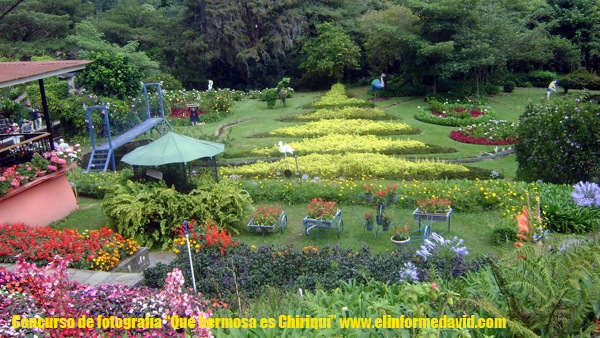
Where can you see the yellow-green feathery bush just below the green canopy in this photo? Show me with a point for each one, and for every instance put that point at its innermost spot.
(151, 213)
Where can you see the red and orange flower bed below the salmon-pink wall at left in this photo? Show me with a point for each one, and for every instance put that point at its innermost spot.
(97, 250)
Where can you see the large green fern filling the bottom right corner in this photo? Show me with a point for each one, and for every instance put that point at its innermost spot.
(541, 291)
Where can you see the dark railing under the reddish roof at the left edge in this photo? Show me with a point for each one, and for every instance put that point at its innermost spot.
(21, 152)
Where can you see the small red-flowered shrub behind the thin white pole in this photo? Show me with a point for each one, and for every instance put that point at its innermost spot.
(203, 236)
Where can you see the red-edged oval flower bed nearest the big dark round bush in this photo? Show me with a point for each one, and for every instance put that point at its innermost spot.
(489, 133)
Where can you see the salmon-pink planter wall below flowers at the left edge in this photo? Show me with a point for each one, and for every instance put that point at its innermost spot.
(39, 202)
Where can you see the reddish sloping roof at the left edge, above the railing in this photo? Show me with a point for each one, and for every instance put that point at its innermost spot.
(13, 73)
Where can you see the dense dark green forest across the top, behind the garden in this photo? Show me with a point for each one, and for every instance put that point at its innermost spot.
(251, 44)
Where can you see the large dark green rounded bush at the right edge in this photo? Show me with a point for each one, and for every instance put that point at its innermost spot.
(559, 142)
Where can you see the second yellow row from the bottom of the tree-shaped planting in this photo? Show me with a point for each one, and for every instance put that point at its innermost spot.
(336, 143)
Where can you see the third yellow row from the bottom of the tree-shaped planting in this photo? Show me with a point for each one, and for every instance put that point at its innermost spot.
(339, 126)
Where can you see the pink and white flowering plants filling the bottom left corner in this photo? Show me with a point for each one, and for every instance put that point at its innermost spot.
(46, 293)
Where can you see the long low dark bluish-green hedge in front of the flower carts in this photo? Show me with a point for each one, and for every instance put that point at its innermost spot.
(289, 268)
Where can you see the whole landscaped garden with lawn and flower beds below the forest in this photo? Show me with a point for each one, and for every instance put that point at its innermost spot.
(375, 213)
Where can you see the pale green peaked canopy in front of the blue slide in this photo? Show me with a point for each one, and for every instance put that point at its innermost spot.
(173, 148)
